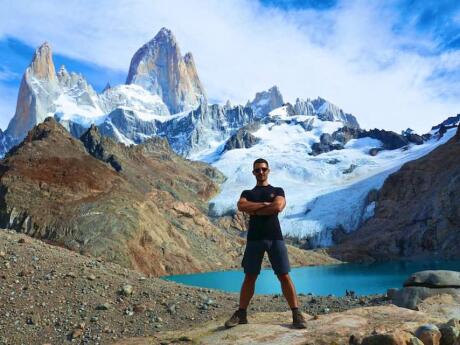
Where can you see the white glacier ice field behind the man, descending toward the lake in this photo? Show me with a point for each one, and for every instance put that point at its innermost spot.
(321, 194)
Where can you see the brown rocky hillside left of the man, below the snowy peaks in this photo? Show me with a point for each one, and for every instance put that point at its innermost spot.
(143, 206)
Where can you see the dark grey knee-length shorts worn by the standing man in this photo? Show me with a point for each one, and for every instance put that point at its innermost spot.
(277, 254)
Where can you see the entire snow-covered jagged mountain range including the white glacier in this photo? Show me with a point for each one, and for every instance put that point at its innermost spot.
(318, 153)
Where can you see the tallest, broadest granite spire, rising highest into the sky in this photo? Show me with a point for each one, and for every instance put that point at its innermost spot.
(159, 67)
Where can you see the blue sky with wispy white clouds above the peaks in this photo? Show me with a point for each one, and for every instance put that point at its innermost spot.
(393, 64)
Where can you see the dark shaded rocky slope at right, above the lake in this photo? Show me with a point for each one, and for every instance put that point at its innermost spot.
(417, 212)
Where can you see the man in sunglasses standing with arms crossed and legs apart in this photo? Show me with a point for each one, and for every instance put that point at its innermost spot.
(263, 203)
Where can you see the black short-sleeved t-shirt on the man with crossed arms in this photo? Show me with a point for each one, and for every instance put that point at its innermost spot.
(263, 227)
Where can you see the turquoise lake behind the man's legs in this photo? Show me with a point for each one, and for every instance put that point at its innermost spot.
(364, 279)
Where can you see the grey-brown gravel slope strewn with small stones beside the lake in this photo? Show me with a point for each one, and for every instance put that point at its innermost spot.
(50, 295)
